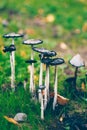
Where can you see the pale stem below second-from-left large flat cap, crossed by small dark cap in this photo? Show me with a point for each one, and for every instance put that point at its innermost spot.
(32, 86)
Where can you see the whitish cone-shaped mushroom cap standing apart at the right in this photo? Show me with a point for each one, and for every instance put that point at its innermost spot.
(77, 61)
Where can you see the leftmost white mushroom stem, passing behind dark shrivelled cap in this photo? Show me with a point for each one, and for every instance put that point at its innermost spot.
(12, 62)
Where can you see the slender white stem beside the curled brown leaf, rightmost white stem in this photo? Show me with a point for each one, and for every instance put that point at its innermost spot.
(55, 89)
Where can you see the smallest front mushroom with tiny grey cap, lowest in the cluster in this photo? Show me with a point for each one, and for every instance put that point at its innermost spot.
(40, 91)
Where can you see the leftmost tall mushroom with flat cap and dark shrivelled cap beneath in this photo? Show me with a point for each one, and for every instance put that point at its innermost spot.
(12, 56)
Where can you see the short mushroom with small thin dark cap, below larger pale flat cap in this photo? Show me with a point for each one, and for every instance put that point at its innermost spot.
(32, 87)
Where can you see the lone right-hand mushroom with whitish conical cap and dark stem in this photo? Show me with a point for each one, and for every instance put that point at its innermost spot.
(77, 62)
